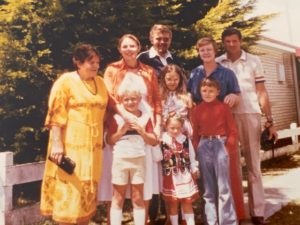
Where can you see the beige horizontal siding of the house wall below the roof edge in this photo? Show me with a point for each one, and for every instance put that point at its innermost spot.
(281, 93)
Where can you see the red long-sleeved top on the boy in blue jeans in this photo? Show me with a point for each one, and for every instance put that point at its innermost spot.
(214, 118)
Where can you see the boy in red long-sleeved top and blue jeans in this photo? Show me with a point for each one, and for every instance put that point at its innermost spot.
(214, 133)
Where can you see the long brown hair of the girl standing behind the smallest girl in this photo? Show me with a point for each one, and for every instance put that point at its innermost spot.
(181, 89)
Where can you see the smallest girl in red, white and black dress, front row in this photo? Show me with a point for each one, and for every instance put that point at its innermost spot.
(180, 169)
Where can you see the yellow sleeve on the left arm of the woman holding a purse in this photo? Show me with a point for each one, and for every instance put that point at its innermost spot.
(57, 105)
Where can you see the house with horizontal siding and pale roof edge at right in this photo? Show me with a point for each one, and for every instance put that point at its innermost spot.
(282, 72)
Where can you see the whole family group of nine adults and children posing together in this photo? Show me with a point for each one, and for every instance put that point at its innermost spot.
(144, 130)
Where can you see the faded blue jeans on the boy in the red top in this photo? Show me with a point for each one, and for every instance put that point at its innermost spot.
(214, 167)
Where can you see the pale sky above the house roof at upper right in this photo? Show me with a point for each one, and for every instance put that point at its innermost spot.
(285, 26)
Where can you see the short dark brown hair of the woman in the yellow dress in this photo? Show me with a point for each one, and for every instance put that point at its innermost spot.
(83, 52)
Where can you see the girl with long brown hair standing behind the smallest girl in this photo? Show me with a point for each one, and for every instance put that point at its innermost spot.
(174, 96)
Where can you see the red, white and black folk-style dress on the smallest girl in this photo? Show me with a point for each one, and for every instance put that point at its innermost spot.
(178, 164)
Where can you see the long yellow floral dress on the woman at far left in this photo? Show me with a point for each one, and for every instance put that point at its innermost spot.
(80, 113)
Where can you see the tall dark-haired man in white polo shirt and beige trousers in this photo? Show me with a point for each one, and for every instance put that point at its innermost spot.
(254, 98)
